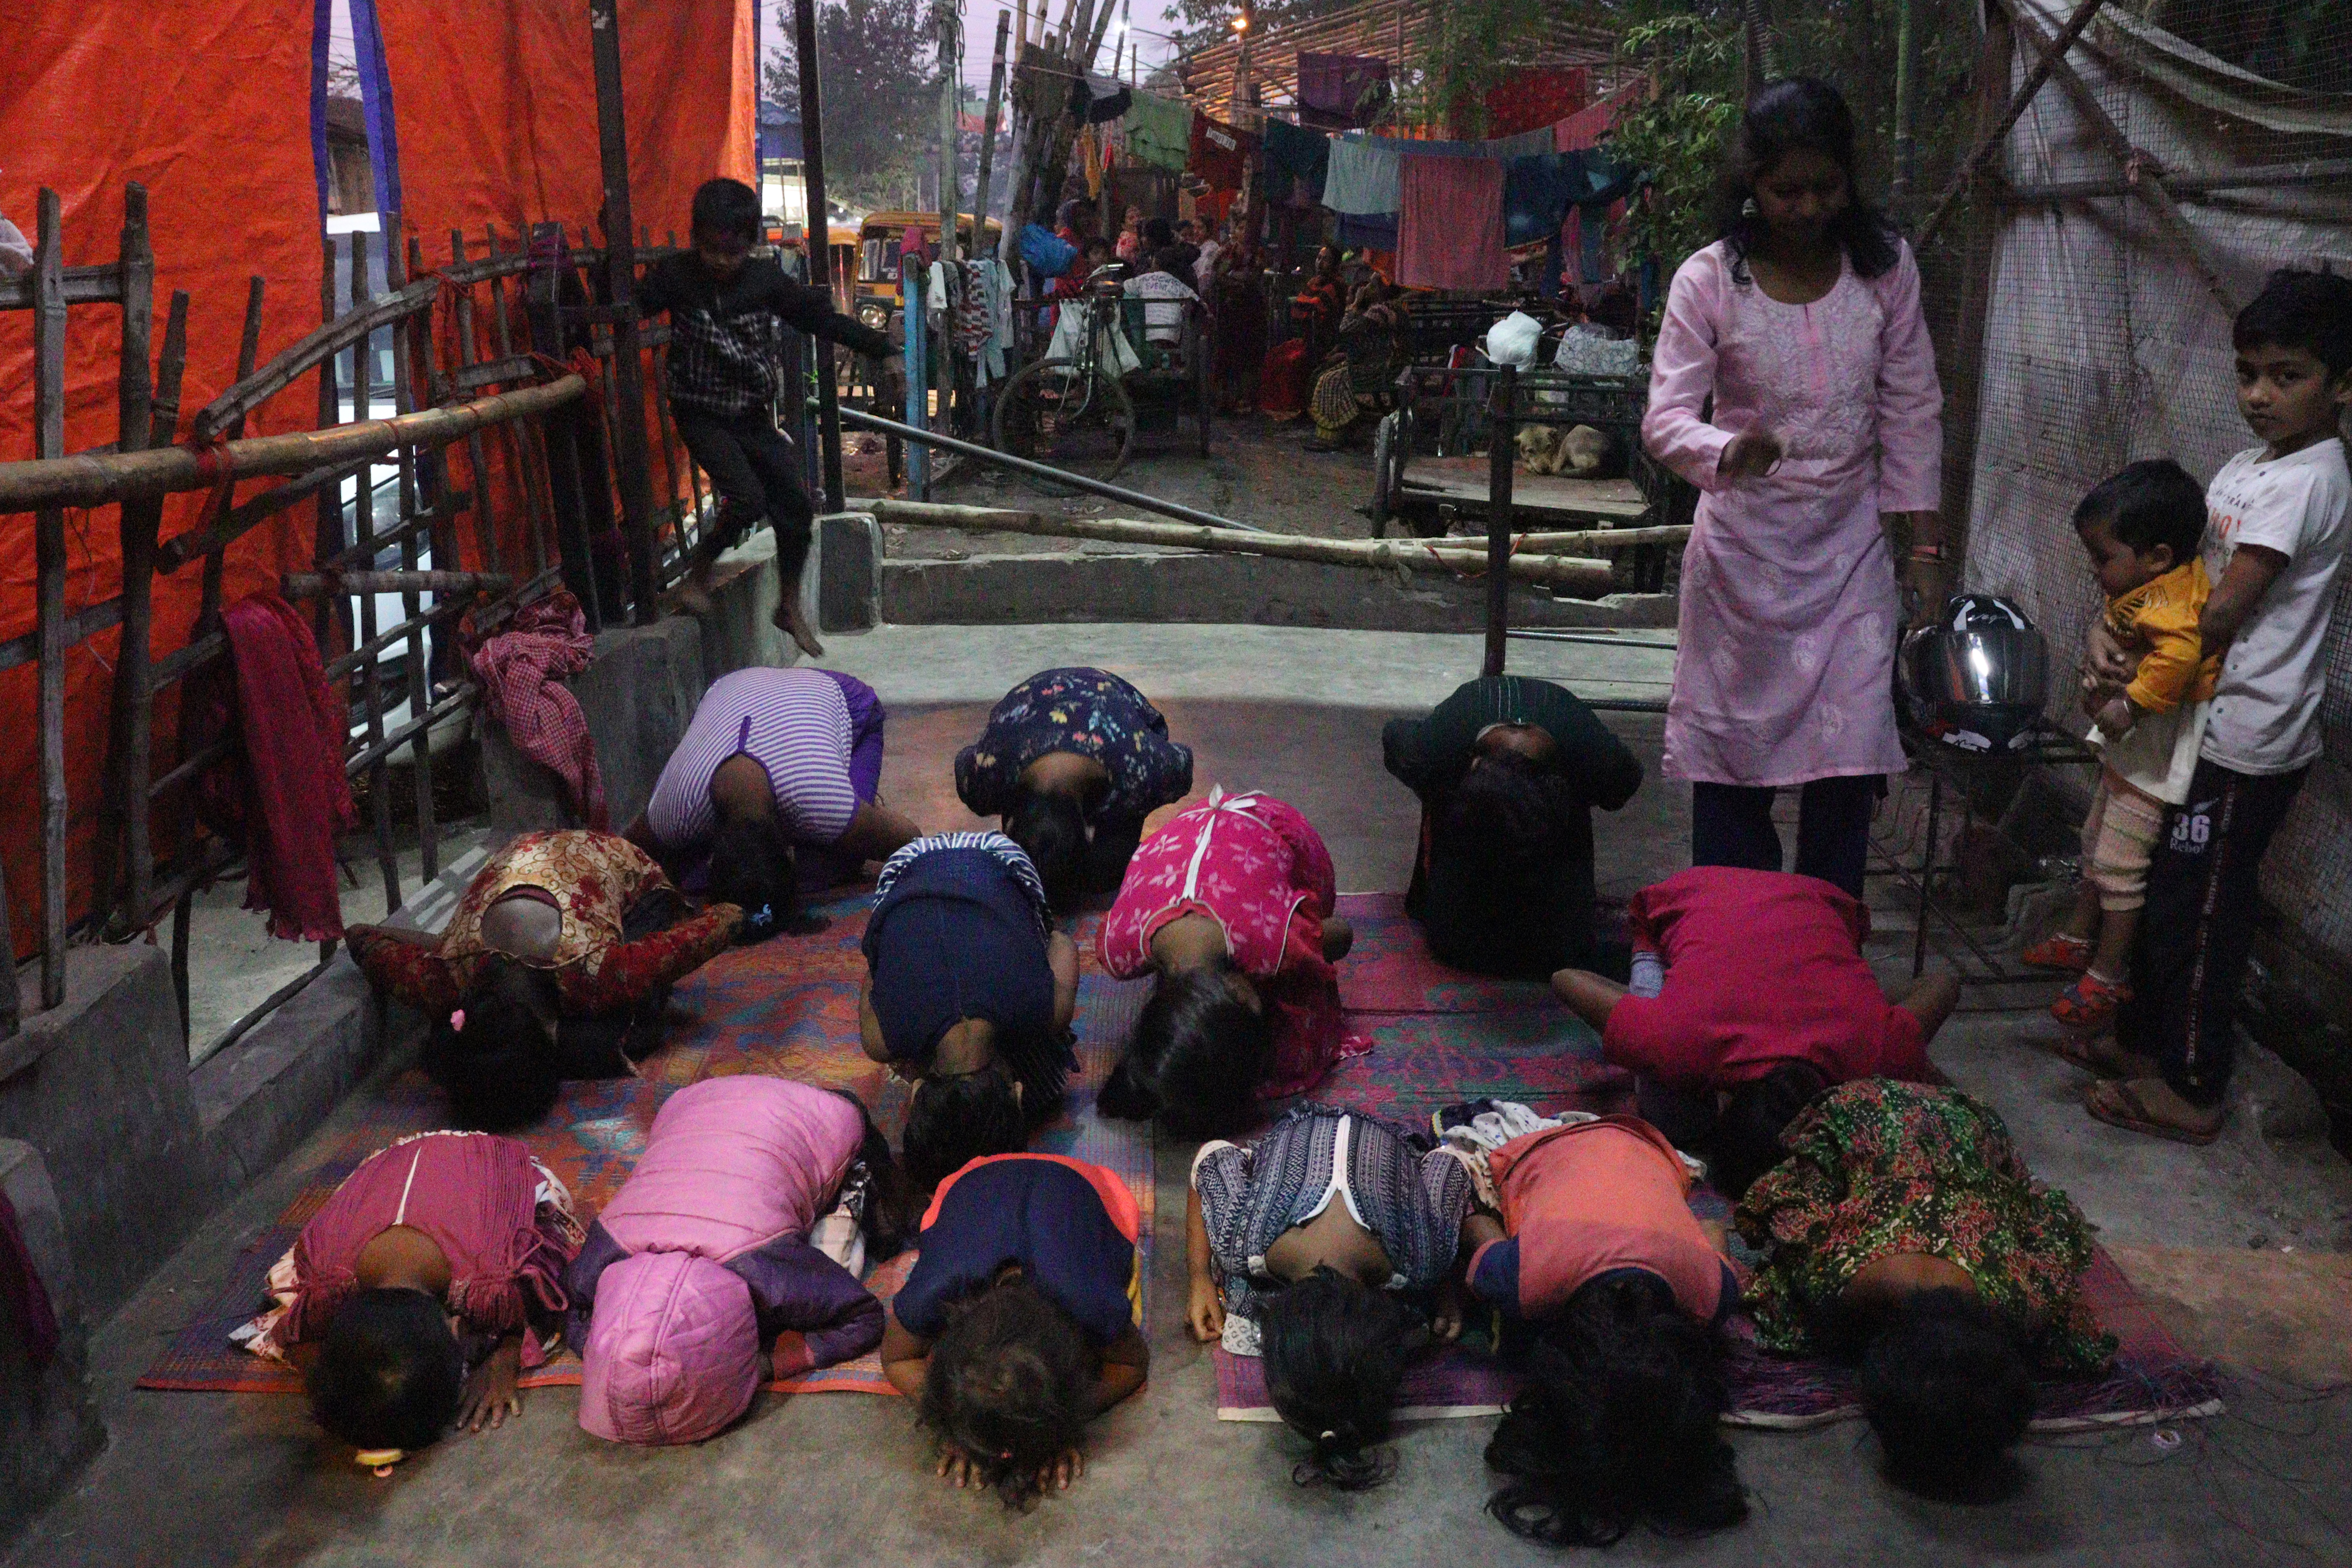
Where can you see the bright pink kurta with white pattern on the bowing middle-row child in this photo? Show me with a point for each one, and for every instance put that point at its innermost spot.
(1262, 873)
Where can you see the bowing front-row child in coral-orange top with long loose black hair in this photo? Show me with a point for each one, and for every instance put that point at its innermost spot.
(1619, 1289)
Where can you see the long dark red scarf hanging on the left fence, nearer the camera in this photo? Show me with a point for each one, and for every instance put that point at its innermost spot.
(288, 796)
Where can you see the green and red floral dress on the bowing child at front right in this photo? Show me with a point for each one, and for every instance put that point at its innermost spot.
(1880, 1167)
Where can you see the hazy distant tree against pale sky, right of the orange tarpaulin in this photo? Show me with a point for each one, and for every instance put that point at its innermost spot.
(878, 65)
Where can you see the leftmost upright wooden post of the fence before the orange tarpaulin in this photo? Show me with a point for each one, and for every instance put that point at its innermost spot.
(51, 594)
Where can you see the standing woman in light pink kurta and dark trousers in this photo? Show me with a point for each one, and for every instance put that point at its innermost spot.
(1803, 326)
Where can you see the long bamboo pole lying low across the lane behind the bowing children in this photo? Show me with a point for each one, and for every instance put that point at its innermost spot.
(1382, 554)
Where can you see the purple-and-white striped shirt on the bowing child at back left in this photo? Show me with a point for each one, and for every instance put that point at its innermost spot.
(794, 723)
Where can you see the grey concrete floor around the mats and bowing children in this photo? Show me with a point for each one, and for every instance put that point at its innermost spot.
(846, 1480)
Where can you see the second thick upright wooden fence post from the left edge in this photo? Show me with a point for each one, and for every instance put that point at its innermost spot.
(135, 394)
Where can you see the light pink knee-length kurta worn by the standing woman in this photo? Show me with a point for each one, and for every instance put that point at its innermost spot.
(1789, 594)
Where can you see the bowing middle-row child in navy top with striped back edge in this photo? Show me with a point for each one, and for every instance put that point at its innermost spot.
(970, 993)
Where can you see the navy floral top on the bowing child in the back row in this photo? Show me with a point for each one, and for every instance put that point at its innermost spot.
(1090, 713)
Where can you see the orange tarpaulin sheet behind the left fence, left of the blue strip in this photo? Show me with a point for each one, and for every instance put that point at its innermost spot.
(206, 102)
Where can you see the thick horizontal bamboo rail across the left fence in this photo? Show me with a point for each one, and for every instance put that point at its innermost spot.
(102, 478)
